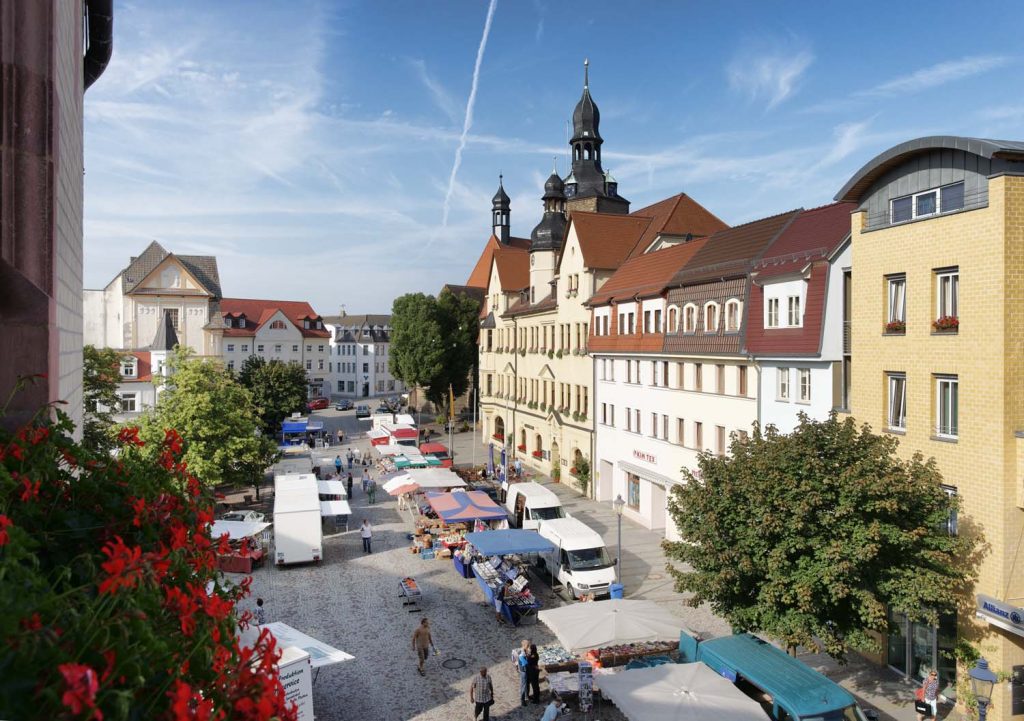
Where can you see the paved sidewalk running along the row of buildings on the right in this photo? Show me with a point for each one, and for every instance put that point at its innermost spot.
(645, 576)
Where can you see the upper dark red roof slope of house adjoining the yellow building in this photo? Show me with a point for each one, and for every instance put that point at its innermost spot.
(814, 235)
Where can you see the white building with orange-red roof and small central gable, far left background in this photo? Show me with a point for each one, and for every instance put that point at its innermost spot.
(277, 330)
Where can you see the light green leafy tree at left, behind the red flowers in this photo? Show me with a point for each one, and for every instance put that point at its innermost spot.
(218, 419)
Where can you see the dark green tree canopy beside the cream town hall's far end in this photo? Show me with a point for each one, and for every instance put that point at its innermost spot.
(434, 343)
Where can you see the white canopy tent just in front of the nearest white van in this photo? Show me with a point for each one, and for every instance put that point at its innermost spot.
(581, 627)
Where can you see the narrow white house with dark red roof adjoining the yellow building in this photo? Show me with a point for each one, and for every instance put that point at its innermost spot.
(797, 324)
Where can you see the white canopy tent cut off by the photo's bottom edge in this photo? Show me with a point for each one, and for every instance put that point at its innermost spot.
(678, 693)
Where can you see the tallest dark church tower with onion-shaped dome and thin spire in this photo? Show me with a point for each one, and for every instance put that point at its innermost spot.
(589, 187)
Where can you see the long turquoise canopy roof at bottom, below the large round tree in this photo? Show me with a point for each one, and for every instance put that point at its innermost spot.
(787, 689)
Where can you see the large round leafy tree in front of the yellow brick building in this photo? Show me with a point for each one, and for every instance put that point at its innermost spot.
(810, 537)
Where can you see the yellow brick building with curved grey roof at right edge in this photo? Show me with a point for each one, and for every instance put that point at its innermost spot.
(937, 335)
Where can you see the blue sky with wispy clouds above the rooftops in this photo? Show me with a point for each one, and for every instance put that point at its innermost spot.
(310, 146)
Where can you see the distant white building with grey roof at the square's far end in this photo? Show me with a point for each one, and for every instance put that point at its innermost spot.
(360, 352)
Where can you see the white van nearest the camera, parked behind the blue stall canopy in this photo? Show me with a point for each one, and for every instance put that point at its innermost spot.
(580, 561)
